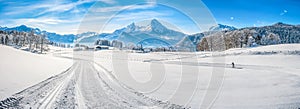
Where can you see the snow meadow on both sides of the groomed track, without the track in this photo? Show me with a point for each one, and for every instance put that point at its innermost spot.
(265, 77)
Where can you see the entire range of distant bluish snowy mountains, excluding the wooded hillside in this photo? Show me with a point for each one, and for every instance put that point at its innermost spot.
(154, 32)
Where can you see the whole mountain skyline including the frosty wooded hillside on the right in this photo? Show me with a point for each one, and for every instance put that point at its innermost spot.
(156, 34)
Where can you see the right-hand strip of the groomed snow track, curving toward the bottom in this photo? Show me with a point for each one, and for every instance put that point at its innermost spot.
(127, 94)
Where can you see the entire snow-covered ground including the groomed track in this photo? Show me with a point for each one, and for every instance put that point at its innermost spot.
(265, 77)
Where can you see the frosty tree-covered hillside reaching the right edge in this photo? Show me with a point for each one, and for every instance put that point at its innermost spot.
(278, 33)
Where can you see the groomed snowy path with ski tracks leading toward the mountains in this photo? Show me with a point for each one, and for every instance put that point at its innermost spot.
(81, 86)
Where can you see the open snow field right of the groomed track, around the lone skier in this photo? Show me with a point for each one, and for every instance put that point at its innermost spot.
(263, 81)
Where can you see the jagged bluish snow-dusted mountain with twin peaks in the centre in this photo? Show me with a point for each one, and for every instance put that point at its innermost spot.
(137, 34)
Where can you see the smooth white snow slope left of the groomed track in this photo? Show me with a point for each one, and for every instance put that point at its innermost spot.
(21, 69)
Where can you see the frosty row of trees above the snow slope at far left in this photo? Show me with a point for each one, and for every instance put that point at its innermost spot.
(33, 41)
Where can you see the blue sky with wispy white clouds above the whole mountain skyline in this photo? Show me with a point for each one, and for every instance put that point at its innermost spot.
(76, 16)
